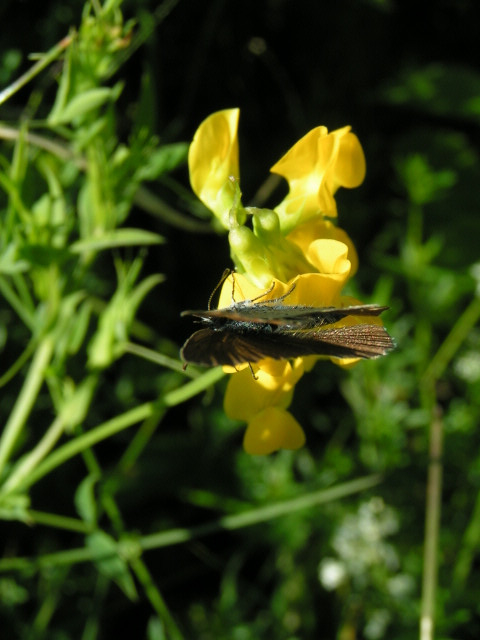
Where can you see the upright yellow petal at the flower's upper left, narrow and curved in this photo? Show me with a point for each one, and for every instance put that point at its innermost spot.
(213, 158)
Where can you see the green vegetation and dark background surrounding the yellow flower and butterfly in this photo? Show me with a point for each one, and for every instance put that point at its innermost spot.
(128, 505)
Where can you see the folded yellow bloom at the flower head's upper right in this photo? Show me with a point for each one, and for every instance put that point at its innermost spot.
(315, 167)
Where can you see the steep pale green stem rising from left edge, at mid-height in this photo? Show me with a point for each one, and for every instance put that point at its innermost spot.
(25, 399)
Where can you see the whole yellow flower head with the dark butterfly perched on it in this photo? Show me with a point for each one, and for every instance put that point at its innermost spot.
(290, 251)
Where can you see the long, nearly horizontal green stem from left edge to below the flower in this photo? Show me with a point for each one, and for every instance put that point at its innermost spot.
(178, 536)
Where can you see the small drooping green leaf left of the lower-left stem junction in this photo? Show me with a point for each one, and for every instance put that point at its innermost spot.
(112, 565)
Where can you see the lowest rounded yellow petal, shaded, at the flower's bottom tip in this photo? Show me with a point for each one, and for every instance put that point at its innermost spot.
(273, 429)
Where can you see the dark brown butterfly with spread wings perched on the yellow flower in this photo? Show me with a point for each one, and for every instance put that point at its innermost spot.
(247, 331)
